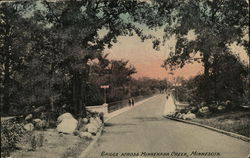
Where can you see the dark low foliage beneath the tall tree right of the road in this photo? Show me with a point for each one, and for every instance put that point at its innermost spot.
(227, 85)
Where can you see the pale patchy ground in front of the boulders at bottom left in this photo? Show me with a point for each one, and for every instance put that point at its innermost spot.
(55, 145)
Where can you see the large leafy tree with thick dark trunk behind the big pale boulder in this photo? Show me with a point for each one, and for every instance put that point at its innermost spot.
(69, 36)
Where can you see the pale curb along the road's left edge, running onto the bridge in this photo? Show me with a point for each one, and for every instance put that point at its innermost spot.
(91, 145)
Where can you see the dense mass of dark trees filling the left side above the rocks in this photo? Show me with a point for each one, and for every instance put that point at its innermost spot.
(52, 55)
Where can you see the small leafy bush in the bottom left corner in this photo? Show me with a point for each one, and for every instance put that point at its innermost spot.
(11, 134)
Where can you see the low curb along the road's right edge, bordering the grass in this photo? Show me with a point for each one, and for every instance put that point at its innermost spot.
(238, 136)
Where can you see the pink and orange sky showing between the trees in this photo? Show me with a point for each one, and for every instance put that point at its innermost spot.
(148, 61)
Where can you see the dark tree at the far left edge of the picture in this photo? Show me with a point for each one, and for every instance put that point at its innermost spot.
(12, 46)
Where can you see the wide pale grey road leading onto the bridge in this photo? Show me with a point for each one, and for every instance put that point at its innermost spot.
(143, 131)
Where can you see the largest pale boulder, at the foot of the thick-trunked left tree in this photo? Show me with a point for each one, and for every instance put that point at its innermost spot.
(67, 125)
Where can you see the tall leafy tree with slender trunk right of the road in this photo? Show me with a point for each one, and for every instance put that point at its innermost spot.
(216, 25)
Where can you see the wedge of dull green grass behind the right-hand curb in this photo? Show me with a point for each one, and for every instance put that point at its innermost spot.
(236, 122)
